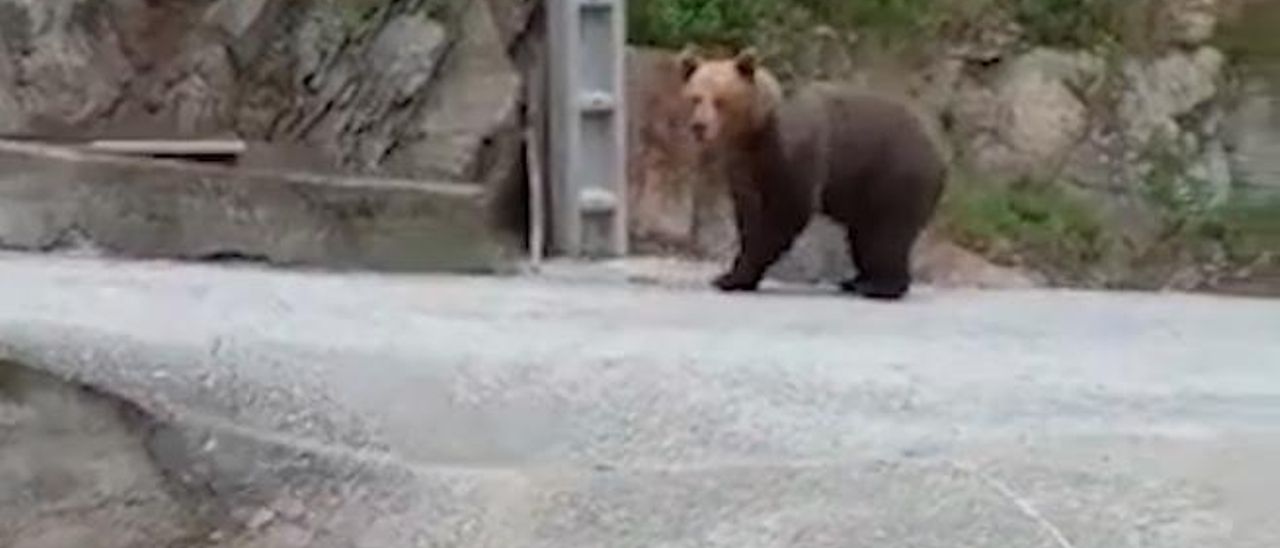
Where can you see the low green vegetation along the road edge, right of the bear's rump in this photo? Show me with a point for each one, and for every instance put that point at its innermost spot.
(1046, 227)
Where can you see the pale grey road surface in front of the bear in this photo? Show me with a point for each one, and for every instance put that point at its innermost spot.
(580, 412)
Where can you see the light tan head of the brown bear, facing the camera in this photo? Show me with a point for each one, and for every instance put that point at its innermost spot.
(730, 99)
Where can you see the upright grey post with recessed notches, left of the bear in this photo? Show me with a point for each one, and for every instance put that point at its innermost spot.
(588, 127)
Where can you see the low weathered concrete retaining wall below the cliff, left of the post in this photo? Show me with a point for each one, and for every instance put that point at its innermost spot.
(57, 199)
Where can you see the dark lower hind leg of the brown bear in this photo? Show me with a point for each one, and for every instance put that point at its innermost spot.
(883, 258)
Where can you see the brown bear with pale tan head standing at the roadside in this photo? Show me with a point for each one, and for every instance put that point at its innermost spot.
(863, 161)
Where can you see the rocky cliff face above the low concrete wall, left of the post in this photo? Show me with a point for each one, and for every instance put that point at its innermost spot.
(422, 89)
